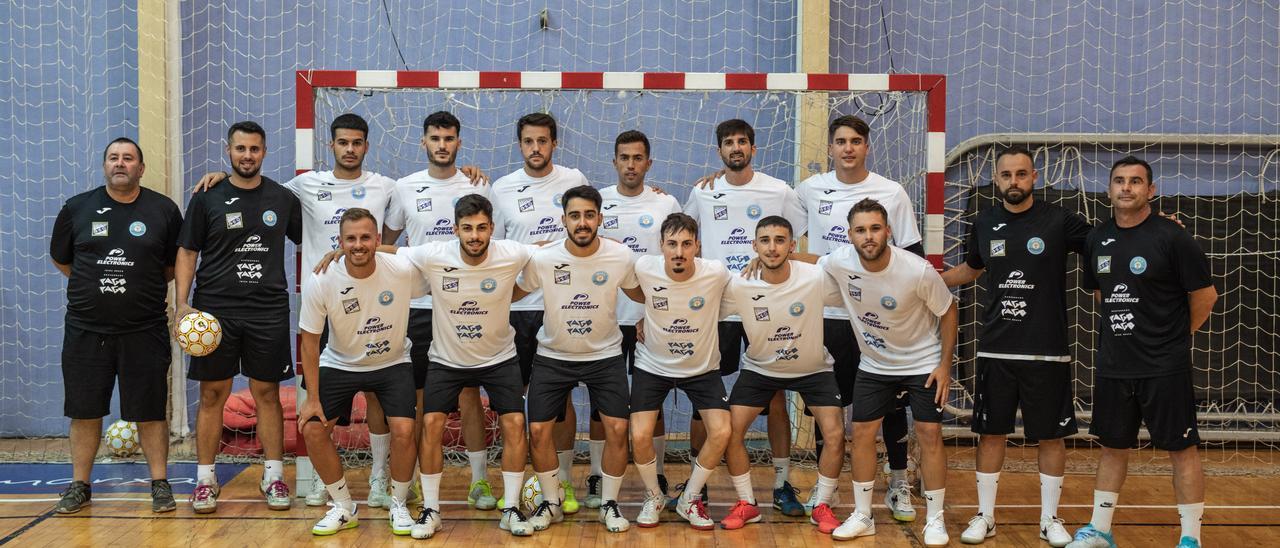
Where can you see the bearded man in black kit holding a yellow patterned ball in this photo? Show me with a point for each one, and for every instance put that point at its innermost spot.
(239, 232)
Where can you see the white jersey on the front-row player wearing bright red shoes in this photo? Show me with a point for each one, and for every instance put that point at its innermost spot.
(784, 322)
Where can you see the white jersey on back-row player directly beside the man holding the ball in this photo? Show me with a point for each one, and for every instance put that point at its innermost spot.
(326, 198)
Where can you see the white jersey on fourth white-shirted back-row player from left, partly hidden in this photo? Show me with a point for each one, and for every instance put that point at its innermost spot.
(636, 221)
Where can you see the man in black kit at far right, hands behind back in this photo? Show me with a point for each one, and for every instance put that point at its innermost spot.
(1154, 290)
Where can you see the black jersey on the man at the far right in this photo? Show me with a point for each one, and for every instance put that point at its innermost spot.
(1145, 275)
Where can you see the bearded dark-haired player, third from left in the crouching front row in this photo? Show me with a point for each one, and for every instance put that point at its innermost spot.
(580, 342)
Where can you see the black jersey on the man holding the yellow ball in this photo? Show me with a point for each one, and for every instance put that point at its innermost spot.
(240, 235)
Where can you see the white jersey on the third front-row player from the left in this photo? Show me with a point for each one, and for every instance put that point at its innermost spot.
(582, 296)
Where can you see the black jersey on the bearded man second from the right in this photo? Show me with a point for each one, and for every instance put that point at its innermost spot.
(1025, 255)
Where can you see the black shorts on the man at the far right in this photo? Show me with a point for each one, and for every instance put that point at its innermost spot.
(1165, 404)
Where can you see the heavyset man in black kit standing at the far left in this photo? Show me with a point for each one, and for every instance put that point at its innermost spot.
(117, 246)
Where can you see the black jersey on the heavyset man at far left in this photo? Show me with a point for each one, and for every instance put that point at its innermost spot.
(118, 254)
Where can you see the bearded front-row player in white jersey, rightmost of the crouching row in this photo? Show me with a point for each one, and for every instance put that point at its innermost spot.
(907, 325)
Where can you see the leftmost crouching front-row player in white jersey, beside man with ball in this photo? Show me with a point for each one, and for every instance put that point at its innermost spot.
(365, 299)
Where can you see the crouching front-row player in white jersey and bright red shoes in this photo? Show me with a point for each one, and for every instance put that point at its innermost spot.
(781, 314)
